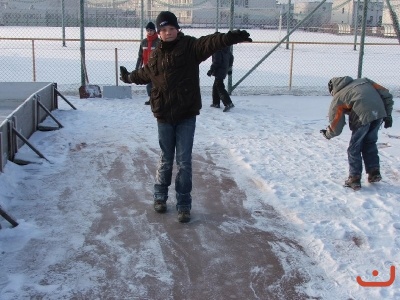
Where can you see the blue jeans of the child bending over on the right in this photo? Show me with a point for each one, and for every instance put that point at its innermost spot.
(363, 146)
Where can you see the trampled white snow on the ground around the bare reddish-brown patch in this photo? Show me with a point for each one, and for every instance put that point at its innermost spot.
(273, 140)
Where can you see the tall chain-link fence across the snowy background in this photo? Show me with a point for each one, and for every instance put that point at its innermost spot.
(40, 41)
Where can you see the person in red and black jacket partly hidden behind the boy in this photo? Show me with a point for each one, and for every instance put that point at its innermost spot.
(147, 45)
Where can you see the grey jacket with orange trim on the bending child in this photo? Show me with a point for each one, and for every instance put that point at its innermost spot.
(362, 99)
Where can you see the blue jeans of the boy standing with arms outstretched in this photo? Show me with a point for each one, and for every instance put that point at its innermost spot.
(177, 137)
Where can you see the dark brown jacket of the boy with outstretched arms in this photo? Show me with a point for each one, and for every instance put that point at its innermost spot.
(173, 68)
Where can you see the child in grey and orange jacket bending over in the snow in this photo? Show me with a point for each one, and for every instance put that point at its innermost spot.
(368, 105)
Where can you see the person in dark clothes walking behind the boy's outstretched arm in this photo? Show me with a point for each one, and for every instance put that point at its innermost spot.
(221, 66)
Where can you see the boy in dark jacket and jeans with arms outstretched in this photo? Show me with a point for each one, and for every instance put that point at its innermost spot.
(175, 101)
